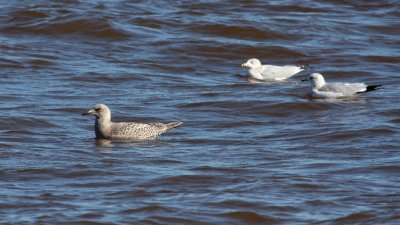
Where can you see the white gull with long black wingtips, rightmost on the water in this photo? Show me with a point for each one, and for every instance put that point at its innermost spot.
(319, 88)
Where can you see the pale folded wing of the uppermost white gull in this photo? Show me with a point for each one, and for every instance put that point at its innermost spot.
(279, 72)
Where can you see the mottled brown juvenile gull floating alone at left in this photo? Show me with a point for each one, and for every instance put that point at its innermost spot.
(106, 129)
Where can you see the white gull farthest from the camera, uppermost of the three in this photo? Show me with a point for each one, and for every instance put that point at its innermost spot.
(271, 72)
